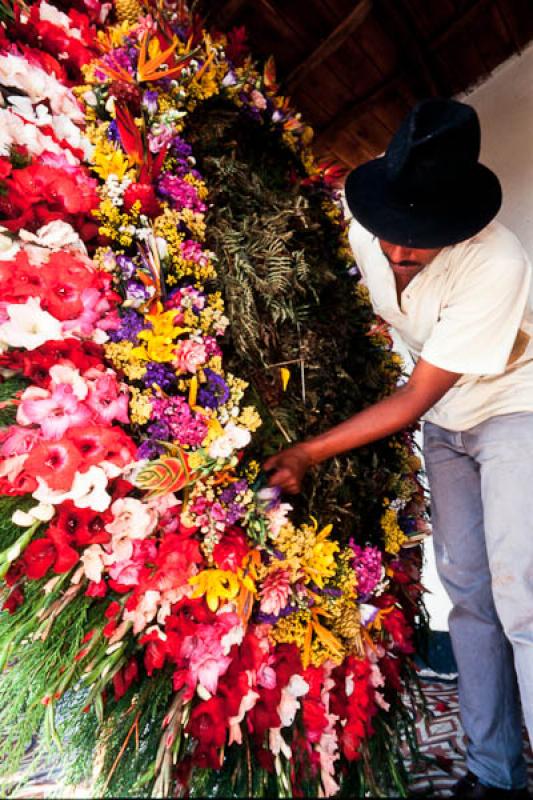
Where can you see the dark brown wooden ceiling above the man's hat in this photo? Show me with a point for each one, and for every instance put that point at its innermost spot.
(355, 67)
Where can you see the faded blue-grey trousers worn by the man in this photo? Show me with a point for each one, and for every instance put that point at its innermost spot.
(481, 483)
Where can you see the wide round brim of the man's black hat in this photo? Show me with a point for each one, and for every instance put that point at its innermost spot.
(473, 204)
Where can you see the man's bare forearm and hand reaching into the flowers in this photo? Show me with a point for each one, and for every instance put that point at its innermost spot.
(425, 387)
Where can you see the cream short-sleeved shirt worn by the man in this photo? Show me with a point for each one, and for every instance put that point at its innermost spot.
(468, 311)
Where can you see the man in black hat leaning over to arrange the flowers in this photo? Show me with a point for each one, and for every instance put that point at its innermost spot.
(455, 285)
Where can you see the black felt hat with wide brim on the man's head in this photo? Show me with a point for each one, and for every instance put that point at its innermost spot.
(429, 189)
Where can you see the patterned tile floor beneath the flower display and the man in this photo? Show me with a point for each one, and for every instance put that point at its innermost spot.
(440, 736)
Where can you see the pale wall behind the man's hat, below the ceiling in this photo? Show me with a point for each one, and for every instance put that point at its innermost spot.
(504, 103)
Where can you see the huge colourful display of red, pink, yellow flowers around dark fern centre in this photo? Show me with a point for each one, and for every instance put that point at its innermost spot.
(172, 611)
